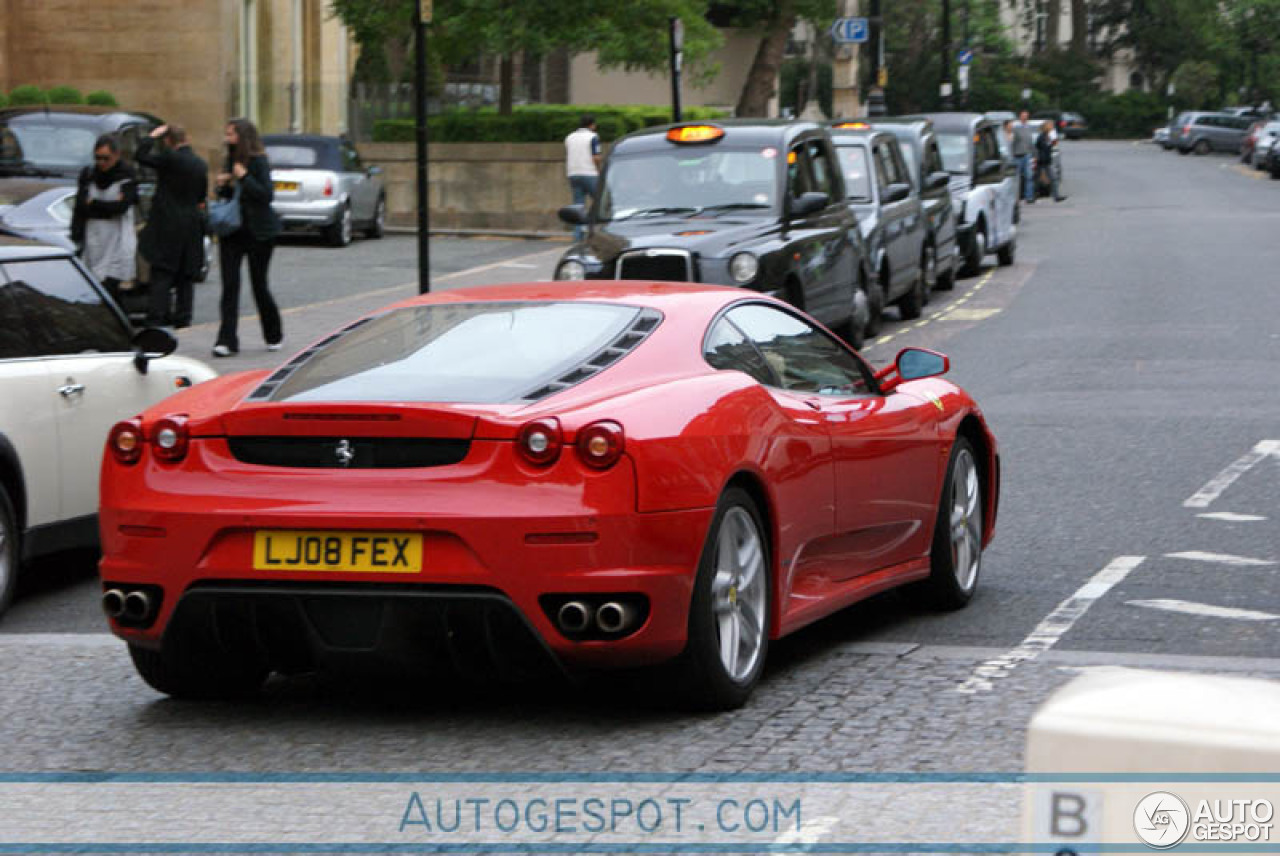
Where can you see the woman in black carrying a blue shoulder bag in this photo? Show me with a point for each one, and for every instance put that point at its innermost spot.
(248, 173)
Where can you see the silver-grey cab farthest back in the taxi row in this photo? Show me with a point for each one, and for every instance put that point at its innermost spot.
(984, 186)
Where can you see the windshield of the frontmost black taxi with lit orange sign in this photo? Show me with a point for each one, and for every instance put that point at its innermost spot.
(691, 181)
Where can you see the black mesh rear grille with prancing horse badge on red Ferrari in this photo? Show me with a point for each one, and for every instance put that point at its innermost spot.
(359, 454)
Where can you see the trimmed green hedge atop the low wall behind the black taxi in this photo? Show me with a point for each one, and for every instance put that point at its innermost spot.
(533, 123)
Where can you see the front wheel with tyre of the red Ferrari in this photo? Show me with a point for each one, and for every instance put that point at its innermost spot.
(957, 555)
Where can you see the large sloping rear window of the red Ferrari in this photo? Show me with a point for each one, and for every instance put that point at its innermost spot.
(476, 354)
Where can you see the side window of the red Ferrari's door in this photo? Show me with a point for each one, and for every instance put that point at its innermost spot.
(804, 359)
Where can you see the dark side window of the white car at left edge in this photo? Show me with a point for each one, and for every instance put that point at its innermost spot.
(62, 310)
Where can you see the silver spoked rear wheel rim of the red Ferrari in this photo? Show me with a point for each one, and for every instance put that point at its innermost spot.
(739, 593)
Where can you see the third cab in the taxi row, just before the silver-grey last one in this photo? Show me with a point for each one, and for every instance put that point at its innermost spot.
(920, 145)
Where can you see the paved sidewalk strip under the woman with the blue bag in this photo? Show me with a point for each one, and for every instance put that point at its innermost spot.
(305, 324)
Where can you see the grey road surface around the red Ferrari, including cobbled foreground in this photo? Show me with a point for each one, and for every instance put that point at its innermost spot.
(1127, 364)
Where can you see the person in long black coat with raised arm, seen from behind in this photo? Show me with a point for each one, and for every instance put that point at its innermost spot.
(173, 240)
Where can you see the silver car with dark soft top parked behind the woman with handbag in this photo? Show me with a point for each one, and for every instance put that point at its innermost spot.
(322, 185)
